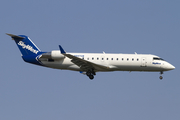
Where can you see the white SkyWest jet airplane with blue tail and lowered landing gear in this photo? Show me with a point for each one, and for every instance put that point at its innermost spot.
(89, 63)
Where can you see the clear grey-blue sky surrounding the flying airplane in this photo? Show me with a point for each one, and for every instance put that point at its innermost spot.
(29, 92)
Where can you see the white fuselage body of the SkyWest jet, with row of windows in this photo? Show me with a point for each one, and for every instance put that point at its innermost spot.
(115, 62)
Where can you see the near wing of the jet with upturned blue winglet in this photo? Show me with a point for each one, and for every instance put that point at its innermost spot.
(83, 64)
